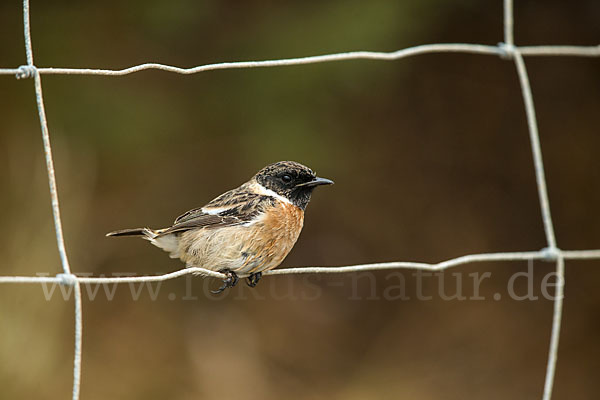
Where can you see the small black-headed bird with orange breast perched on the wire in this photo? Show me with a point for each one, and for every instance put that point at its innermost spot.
(247, 230)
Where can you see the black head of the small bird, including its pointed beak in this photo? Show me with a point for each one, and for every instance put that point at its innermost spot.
(291, 180)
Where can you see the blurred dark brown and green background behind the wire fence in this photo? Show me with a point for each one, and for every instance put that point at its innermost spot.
(431, 160)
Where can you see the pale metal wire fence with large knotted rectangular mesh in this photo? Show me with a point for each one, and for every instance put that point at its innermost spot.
(506, 50)
